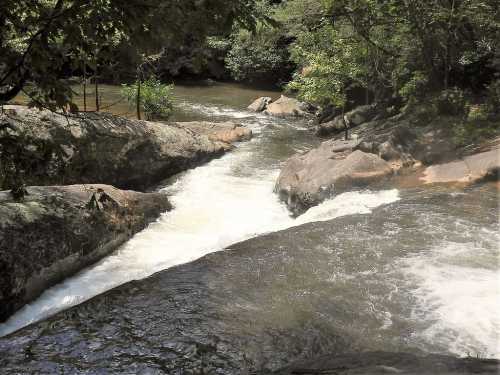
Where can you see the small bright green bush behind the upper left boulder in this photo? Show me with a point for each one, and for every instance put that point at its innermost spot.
(153, 98)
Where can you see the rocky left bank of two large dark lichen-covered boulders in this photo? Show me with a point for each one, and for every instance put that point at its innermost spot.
(48, 233)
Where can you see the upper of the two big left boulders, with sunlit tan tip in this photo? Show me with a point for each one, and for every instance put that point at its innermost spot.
(99, 147)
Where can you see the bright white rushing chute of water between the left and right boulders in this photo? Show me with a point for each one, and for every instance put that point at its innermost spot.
(216, 205)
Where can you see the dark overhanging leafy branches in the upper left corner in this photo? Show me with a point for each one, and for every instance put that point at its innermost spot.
(44, 42)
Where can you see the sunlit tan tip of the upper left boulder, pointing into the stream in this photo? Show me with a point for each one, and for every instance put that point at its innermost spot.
(226, 132)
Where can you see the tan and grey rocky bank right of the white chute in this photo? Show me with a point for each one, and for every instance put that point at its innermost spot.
(381, 146)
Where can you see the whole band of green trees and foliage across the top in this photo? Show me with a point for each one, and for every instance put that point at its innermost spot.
(330, 52)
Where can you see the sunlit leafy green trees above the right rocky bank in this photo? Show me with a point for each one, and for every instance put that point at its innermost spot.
(350, 51)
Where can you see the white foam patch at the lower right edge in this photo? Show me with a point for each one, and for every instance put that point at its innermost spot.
(459, 292)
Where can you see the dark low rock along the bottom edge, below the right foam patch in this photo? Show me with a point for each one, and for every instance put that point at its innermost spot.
(378, 363)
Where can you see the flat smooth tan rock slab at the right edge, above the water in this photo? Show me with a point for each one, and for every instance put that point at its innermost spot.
(468, 170)
